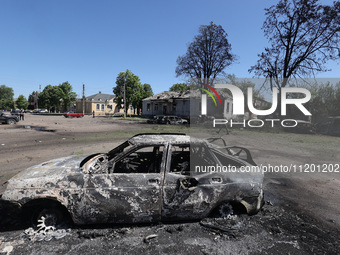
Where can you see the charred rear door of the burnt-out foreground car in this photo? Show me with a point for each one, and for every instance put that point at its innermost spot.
(186, 195)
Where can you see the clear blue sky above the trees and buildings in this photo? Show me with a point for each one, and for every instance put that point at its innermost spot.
(89, 42)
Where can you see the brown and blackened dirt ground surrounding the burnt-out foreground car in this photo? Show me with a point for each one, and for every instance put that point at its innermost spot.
(301, 214)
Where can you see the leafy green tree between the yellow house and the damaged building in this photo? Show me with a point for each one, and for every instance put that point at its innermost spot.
(133, 89)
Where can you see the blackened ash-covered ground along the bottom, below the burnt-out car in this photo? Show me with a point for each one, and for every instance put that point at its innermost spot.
(274, 230)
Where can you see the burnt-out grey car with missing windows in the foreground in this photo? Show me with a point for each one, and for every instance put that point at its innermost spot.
(150, 177)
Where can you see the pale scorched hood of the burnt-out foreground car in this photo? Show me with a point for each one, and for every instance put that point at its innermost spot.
(57, 168)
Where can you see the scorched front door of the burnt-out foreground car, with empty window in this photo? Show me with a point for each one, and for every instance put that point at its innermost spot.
(131, 192)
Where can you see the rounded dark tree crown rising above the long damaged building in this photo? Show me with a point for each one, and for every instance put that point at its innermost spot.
(208, 55)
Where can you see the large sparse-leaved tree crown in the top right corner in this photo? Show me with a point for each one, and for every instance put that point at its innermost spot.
(304, 36)
